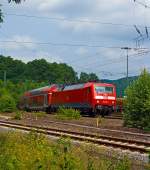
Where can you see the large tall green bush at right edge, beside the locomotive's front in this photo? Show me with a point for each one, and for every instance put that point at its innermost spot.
(137, 103)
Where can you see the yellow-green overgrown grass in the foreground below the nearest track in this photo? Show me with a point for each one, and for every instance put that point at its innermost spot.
(33, 151)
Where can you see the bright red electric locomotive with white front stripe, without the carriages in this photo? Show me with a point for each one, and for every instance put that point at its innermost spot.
(96, 98)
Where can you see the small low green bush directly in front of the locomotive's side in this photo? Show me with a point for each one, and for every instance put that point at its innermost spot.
(68, 113)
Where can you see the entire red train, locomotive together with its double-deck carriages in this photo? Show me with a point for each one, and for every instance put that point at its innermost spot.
(91, 97)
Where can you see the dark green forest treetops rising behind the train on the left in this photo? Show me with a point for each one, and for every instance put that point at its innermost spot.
(40, 71)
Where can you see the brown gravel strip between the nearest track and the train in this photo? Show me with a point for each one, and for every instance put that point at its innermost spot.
(49, 120)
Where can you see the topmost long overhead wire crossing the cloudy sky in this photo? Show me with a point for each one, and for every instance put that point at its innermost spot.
(72, 20)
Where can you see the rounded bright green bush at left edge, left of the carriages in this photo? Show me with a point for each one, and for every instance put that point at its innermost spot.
(7, 103)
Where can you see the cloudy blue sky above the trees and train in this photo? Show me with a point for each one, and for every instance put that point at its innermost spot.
(86, 34)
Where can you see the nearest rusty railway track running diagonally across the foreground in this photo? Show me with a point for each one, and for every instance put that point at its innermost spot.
(126, 144)
